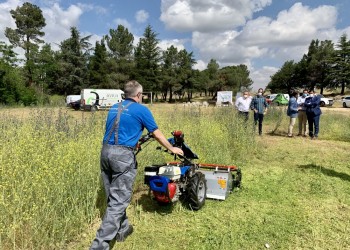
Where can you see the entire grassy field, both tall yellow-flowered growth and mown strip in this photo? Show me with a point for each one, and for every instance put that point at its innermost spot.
(295, 192)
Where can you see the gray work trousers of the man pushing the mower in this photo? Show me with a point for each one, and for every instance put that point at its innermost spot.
(118, 171)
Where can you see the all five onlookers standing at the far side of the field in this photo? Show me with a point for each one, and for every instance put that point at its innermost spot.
(305, 107)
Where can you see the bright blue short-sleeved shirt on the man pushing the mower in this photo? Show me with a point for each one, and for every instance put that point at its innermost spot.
(133, 120)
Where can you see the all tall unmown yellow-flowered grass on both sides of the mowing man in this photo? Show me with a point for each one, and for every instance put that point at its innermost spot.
(50, 167)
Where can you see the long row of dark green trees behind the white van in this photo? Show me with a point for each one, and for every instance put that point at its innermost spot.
(108, 64)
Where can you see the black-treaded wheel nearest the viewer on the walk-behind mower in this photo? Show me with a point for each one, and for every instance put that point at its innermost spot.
(196, 191)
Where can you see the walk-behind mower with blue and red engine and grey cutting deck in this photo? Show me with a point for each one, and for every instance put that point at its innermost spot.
(187, 181)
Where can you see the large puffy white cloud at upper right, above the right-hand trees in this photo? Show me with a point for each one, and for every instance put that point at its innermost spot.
(293, 27)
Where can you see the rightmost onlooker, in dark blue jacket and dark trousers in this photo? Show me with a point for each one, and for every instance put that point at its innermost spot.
(313, 113)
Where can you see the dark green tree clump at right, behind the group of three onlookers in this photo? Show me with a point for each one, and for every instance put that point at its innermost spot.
(325, 66)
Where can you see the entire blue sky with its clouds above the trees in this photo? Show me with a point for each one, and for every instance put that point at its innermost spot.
(262, 34)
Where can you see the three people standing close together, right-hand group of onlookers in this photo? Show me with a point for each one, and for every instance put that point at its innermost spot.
(307, 108)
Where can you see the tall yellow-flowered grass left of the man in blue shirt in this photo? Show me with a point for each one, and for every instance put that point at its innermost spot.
(49, 165)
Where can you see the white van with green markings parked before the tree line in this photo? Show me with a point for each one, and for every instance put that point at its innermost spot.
(95, 99)
